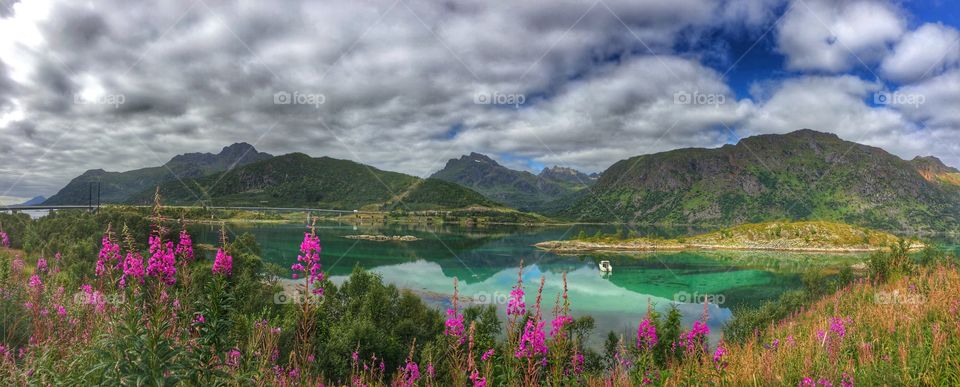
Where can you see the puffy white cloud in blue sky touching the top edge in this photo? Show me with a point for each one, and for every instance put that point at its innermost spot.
(836, 35)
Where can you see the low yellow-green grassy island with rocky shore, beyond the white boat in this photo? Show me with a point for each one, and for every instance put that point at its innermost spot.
(818, 236)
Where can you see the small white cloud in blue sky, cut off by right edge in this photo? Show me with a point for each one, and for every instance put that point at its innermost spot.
(927, 51)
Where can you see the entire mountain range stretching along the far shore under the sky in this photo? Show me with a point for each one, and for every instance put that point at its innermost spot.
(802, 175)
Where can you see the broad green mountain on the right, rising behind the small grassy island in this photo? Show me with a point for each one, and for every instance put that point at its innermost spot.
(803, 175)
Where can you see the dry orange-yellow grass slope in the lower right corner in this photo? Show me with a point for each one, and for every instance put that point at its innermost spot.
(905, 332)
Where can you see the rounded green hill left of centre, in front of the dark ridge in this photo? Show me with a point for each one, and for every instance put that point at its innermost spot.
(297, 180)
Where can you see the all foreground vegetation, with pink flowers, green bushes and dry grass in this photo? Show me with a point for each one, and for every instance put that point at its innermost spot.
(134, 303)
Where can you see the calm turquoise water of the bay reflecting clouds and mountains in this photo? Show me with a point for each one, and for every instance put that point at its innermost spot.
(486, 263)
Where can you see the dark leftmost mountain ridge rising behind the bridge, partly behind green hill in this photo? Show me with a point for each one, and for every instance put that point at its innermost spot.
(118, 187)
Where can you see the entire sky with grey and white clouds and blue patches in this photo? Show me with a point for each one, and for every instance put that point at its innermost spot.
(405, 85)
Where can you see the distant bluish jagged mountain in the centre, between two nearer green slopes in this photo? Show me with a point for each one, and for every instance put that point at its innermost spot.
(521, 190)
